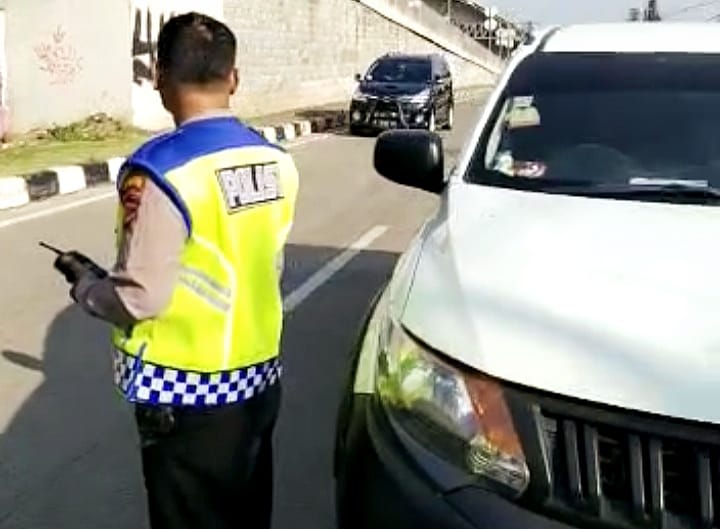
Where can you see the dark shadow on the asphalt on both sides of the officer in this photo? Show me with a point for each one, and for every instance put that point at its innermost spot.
(69, 457)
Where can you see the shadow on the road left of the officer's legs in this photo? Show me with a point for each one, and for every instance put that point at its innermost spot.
(67, 459)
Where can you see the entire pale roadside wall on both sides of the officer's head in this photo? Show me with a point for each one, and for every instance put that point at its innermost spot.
(68, 59)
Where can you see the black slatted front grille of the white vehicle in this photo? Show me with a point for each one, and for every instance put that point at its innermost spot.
(625, 476)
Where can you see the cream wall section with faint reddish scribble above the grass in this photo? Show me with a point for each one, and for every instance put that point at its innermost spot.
(66, 59)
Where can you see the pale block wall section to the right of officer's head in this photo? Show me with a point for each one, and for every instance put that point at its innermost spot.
(319, 45)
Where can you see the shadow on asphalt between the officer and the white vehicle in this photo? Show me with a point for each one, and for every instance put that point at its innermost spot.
(317, 343)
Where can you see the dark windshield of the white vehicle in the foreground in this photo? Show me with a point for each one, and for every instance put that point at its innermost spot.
(641, 126)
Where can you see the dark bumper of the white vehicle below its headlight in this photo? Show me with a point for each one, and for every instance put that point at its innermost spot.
(382, 486)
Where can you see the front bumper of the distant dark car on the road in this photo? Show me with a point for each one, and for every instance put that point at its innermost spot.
(371, 116)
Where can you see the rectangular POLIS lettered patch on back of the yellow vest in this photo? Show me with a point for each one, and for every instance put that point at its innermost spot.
(249, 185)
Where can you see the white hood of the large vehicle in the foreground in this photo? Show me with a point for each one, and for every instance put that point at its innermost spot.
(609, 301)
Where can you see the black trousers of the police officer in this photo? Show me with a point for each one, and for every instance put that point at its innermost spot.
(210, 469)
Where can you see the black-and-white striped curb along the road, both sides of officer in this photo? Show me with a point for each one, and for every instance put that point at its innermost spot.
(18, 191)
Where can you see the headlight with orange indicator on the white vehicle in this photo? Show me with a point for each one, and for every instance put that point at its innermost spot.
(461, 417)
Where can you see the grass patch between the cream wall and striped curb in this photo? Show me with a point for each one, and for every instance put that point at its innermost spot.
(94, 139)
